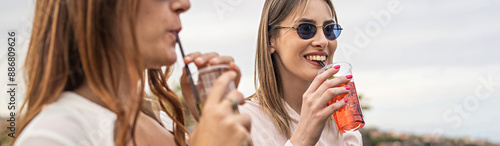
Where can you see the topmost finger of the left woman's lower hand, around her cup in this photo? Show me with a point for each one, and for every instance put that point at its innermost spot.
(219, 88)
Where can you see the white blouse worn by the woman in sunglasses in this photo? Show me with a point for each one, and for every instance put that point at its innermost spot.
(265, 133)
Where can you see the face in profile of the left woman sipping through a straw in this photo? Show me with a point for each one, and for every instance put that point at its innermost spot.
(157, 24)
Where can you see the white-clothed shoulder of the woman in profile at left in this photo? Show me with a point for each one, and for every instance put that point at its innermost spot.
(69, 121)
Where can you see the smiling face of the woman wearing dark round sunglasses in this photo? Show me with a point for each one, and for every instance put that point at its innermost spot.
(294, 55)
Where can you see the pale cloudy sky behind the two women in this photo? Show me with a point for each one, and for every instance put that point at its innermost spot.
(424, 67)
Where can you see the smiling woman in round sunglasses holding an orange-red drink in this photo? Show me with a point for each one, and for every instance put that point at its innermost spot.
(290, 102)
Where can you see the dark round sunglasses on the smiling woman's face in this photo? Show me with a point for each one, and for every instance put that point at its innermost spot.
(308, 30)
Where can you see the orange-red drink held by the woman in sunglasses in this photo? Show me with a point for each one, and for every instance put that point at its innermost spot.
(348, 118)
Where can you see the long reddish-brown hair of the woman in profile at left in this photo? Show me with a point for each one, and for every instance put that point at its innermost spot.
(92, 41)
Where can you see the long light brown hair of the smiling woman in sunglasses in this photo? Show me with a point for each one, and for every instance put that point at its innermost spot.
(267, 81)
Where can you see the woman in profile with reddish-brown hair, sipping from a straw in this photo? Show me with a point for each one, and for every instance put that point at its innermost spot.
(87, 67)
